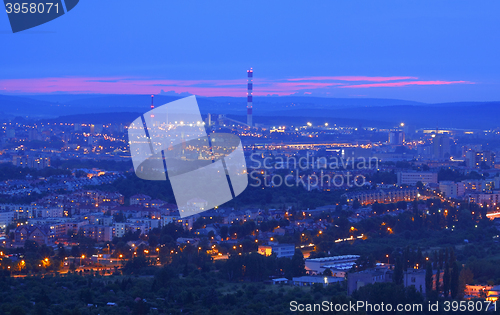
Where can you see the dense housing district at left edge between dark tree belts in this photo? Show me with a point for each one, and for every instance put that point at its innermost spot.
(95, 214)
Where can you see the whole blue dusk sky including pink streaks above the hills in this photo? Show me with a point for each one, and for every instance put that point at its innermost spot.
(431, 51)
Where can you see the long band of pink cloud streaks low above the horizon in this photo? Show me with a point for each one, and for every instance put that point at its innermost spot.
(235, 88)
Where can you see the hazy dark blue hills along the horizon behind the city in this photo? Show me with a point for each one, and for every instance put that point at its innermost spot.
(299, 109)
